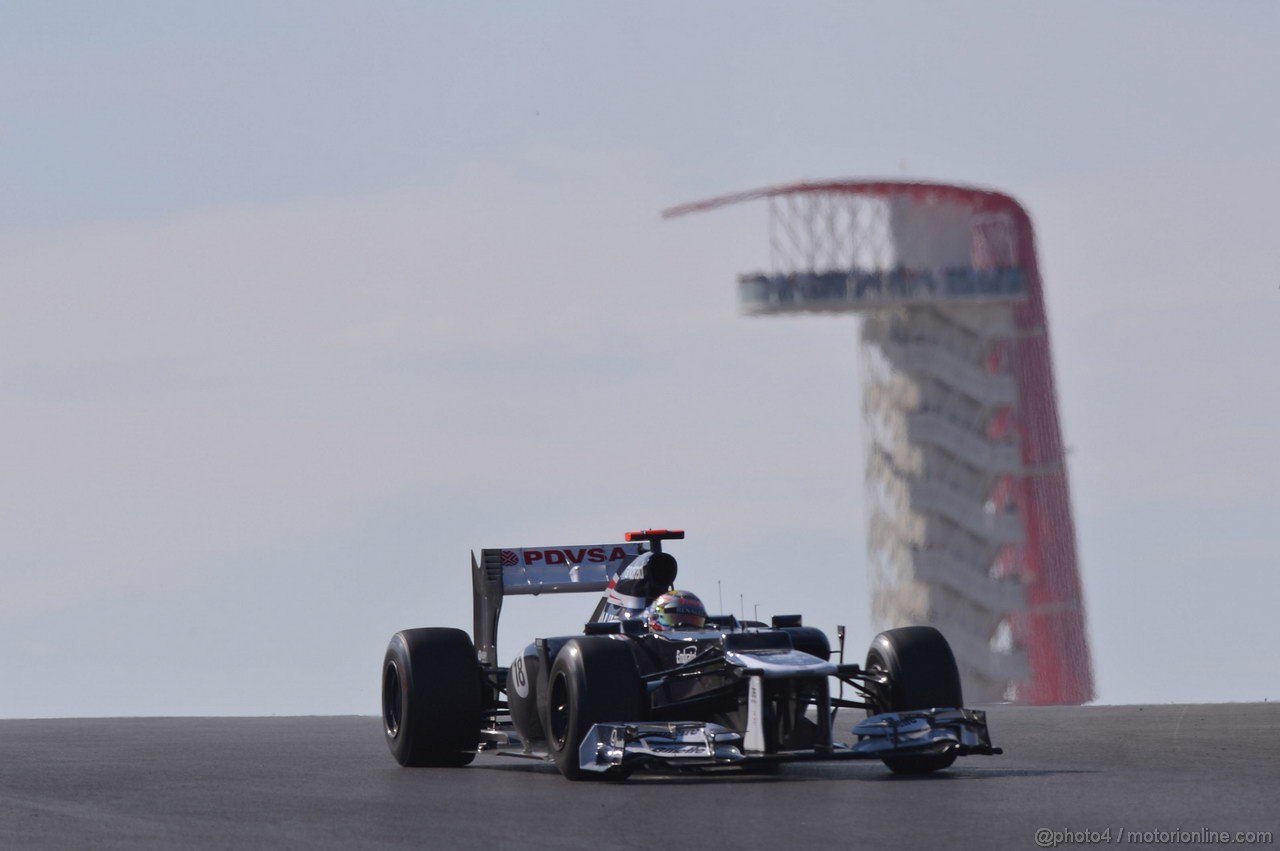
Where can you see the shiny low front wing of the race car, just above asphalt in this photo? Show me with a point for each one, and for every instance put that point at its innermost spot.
(620, 747)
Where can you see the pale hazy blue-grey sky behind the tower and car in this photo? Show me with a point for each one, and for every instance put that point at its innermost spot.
(303, 301)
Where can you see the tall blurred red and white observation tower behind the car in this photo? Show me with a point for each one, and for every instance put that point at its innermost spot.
(970, 516)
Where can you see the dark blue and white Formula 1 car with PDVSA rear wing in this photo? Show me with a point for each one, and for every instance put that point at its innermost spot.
(655, 683)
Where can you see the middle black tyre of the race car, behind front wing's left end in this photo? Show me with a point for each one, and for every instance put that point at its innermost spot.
(593, 680)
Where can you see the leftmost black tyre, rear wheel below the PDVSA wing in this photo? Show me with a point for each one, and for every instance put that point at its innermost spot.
(432, 698)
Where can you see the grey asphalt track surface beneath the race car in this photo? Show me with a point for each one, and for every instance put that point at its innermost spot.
(331, 784)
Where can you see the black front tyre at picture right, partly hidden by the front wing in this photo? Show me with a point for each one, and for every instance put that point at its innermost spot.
(922, 675)
